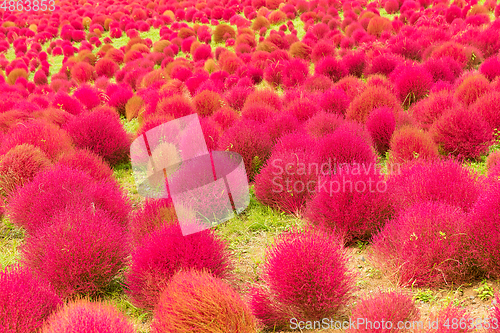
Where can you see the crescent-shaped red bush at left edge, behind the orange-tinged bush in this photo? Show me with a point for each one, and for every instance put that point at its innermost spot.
(52, 140)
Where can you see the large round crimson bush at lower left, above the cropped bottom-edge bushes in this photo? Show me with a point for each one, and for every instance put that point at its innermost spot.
(79, 252)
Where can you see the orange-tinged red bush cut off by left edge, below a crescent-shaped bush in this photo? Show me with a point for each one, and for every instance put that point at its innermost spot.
(19, 166)
